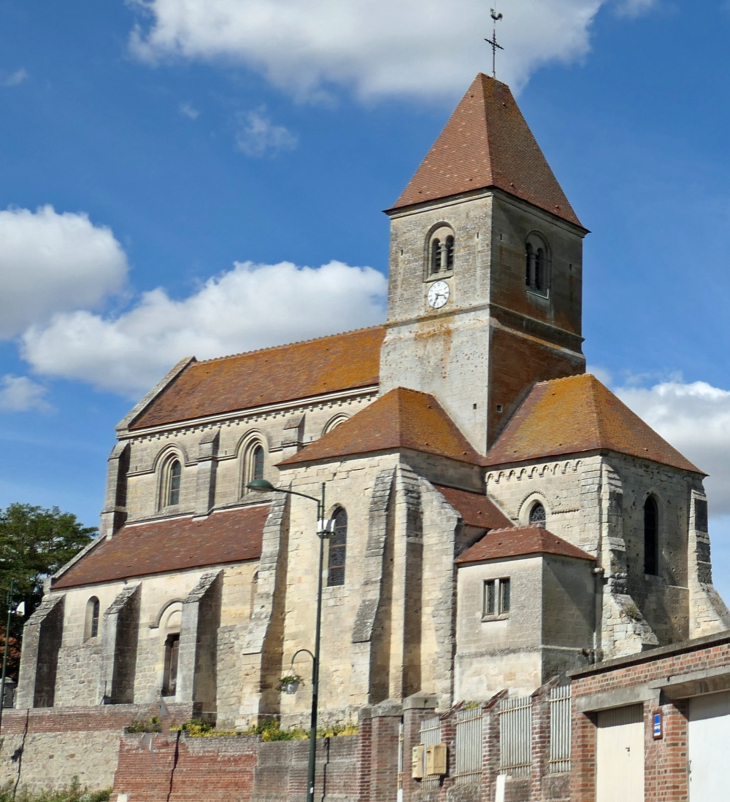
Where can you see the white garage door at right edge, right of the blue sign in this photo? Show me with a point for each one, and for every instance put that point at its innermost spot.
(709, 737)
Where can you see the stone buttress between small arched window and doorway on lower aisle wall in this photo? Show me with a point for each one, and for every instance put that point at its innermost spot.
(119, 638)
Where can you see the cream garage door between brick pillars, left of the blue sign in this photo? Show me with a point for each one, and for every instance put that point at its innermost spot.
(620, 755)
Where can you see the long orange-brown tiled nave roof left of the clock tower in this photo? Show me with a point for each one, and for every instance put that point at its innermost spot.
(273, 375)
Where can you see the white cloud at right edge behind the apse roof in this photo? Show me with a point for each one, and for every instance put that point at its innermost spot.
(695, 419)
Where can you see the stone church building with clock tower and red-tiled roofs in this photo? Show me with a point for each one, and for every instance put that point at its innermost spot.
(500, 517)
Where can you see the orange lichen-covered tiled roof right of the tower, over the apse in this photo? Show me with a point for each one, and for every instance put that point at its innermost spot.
(568, 416)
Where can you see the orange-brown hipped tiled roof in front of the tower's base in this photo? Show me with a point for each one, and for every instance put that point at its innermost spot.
(400, 419)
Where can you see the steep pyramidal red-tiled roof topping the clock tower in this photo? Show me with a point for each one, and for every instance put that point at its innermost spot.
(487, 143)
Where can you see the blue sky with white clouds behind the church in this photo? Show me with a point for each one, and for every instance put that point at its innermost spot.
(208, 177)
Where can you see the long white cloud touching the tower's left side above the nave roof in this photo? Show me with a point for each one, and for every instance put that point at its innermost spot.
(251, 306)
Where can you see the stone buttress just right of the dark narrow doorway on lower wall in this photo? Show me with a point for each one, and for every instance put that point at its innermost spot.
(197, 664)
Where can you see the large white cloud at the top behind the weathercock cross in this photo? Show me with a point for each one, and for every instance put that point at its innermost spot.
(421, 48)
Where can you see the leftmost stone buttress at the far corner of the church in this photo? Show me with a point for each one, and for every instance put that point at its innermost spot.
(42, 637)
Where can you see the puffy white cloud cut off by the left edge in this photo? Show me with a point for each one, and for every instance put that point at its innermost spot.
(51, 262)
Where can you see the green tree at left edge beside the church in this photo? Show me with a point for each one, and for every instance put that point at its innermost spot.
(35, 543)
